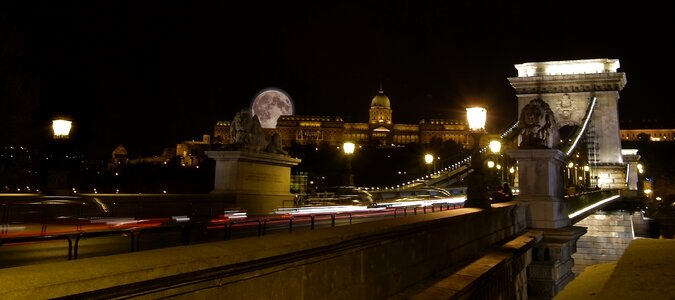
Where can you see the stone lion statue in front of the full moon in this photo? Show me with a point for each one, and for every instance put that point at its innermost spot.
(246, 134)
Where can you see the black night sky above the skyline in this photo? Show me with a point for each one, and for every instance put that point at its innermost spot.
(150, 74)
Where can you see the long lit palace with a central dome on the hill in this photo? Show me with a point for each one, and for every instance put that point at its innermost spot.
(380, 128)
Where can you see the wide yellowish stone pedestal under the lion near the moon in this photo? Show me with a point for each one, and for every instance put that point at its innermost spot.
(257, 182)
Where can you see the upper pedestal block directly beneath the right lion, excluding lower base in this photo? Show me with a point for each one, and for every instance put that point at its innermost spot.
(541, 185)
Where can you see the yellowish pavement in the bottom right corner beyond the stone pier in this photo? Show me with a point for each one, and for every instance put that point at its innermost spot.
(646, 270)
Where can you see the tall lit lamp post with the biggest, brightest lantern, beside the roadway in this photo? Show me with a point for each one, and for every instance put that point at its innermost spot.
(476, 190)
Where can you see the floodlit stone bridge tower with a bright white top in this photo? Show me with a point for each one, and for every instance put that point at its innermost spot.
(569, 87)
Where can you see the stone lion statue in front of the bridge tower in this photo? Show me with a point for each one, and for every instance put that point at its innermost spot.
(537, 126)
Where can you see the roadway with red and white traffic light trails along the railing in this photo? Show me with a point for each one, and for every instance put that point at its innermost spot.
(37, 243)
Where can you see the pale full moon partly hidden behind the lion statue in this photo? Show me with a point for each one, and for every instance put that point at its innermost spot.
(269, 104)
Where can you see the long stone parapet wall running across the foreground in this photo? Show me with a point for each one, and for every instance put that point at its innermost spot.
(374, 260)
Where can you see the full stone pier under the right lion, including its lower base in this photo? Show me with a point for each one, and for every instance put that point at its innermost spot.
(541, 186)
